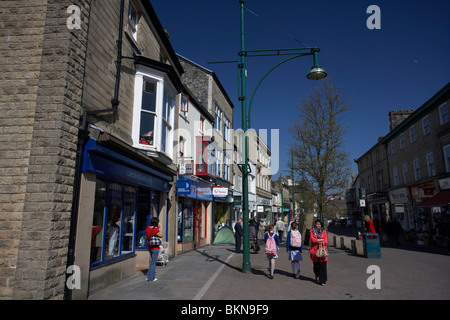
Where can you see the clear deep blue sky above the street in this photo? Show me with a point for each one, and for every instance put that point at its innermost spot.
(399, 66)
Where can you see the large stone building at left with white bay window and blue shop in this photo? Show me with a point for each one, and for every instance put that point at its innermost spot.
(89, 94)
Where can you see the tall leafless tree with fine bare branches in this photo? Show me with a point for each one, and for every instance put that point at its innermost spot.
(319, 145)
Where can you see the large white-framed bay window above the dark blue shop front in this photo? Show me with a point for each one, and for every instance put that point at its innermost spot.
(153, 116)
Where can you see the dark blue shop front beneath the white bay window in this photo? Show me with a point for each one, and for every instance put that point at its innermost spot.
(118, 196)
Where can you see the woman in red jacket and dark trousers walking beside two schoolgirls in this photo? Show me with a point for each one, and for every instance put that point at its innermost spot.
(319, 252)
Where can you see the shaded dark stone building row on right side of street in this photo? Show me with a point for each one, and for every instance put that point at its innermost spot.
(406, 175)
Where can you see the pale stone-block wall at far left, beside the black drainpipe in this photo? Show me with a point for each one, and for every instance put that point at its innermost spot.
(41, 67)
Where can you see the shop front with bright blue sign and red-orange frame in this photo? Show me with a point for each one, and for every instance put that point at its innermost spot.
(194, 212)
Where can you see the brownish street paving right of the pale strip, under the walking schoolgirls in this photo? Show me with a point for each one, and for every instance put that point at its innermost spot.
(404, 274)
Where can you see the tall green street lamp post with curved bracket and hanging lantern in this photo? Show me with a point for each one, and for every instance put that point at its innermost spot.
(316, 73)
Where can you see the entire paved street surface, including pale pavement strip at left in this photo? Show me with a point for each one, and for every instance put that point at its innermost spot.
(214, 273)
